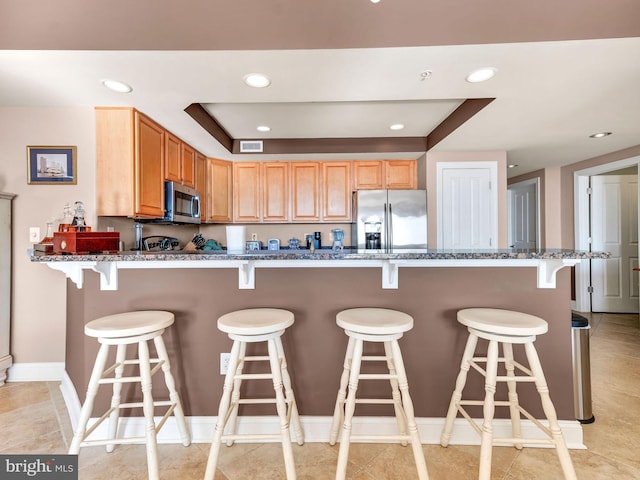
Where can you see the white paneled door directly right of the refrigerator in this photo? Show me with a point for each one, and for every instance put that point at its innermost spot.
(467, 205)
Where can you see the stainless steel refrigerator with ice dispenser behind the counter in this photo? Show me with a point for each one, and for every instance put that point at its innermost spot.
(389, 219)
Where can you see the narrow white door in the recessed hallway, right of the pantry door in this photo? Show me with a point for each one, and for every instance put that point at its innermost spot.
(523, 215)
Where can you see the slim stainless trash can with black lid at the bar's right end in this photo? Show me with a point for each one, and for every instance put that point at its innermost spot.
(581, 357)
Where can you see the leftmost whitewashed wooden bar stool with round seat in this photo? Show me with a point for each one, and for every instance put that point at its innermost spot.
(121, 330)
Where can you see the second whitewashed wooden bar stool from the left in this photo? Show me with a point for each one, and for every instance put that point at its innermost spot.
(251, 326)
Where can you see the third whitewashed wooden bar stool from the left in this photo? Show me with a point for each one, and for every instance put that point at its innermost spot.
(382, 326)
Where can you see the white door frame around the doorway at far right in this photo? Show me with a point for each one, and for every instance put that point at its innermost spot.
(582, 224)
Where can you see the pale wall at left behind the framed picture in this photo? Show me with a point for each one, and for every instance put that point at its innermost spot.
(39, 293)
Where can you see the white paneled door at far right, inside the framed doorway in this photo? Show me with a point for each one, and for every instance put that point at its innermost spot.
(614, 228)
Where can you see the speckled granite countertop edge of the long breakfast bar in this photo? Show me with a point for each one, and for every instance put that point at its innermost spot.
(547, 254)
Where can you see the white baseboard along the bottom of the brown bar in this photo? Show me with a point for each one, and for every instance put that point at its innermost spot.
(317, 428)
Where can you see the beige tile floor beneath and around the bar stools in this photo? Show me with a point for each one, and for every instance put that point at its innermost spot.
(33, 419)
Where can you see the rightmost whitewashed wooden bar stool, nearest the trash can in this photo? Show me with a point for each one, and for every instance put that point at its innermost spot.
(507, 328)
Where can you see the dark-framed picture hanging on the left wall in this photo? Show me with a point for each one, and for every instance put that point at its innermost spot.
(51, 165)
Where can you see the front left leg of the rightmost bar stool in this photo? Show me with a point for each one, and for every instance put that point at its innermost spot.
(486, 442)
